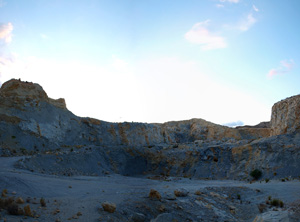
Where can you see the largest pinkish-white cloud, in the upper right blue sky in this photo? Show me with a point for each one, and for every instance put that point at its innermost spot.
(199, 34)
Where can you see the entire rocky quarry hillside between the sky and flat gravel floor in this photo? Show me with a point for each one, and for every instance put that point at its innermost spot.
(33, 124)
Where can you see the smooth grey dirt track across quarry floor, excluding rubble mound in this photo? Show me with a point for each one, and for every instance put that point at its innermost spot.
(85, 194)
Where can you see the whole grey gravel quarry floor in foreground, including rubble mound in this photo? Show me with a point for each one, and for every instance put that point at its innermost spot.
(80, 198)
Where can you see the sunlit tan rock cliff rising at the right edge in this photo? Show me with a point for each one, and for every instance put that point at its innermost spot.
(286, 116)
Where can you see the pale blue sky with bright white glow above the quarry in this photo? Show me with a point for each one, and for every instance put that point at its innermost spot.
(225, 61)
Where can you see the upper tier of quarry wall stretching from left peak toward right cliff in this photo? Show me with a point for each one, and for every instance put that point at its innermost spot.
(35, 121)
